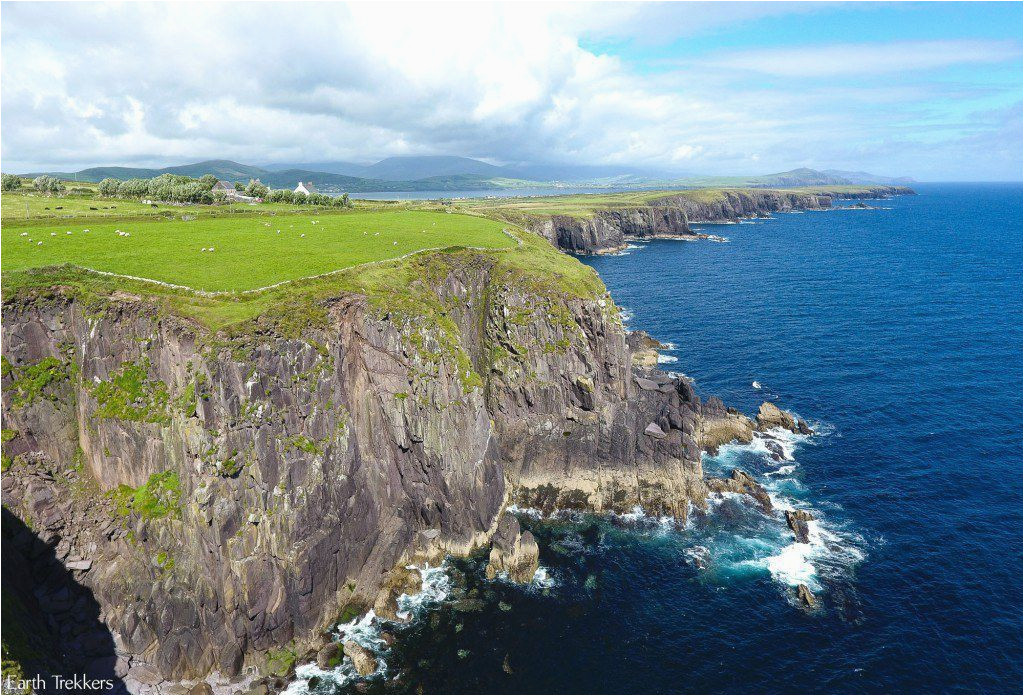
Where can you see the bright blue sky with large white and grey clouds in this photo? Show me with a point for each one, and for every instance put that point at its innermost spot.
(928, 91)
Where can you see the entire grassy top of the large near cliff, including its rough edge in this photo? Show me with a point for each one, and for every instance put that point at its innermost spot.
(271, 264)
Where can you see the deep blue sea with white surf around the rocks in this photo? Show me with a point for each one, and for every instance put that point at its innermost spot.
(898, 334)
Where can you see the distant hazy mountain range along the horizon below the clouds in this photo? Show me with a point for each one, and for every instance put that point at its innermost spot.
(457, 173)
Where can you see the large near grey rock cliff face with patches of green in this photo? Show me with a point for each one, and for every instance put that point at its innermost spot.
(212, 501)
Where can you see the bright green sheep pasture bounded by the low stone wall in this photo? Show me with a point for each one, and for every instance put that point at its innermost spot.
(249, 252)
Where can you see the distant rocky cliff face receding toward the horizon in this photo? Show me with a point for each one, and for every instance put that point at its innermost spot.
(608, 229)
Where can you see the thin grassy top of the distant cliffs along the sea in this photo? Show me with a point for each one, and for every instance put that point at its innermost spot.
(586, 205)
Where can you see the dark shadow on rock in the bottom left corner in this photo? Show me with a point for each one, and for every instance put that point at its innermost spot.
(52, 622)
